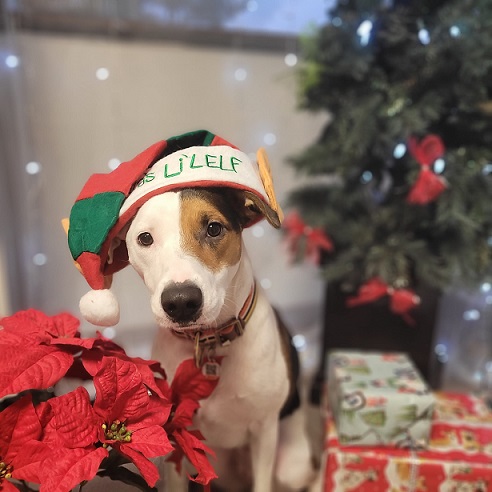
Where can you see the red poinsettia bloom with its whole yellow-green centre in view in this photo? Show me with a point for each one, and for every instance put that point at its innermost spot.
(131, 418)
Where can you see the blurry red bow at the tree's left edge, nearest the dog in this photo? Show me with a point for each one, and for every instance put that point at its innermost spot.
(315, 240)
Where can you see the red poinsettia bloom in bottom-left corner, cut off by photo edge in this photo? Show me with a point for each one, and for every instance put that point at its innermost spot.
(19, 426)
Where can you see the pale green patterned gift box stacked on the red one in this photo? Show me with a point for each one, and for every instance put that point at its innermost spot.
(378, 399)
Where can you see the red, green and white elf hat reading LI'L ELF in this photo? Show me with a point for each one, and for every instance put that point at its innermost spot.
(109, 201)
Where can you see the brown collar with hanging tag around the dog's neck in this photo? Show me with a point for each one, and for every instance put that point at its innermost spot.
(208, 339)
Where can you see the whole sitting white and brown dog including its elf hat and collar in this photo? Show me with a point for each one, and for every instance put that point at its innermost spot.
(176, 213)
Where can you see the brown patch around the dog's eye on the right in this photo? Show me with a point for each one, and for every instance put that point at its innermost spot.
(210, 227)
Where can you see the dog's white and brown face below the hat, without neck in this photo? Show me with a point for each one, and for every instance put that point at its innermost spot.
(187, 246)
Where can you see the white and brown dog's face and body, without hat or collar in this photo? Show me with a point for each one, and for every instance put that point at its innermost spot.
(187, 246)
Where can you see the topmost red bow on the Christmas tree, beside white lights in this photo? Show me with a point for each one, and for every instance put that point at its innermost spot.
(428, 185)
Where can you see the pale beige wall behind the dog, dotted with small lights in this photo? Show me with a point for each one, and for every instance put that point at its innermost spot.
(75, 123)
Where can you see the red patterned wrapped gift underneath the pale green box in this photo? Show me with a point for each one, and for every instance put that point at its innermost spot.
(458, 459)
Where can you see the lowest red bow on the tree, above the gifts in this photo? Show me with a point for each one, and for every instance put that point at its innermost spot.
(402, 301)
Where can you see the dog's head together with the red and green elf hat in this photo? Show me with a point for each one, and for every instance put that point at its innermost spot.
(175, 212)
